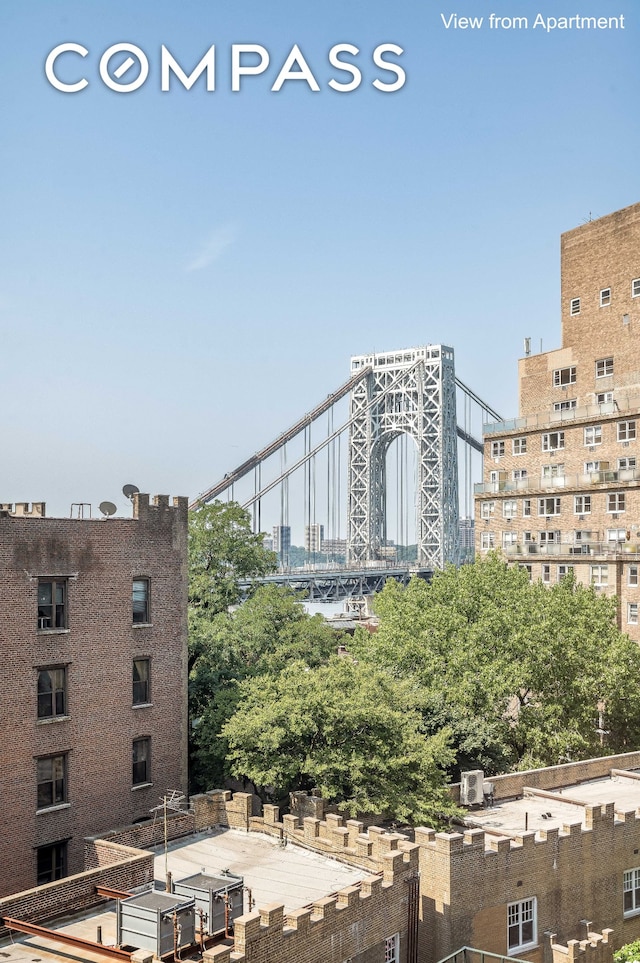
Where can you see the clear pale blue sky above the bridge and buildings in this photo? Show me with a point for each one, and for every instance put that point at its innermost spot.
(183, 274)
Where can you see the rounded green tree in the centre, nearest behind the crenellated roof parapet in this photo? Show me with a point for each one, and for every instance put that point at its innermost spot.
(346, 728)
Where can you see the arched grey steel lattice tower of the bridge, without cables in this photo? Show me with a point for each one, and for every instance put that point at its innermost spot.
(412, 391)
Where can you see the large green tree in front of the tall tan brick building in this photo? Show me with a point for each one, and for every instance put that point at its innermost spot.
(516, 670)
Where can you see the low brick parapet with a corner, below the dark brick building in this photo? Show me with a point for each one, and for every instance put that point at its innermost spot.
(115, 866)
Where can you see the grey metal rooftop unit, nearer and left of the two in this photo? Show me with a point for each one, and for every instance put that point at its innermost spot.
(146, 921)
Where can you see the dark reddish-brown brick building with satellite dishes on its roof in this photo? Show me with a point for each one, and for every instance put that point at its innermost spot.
(93, 707)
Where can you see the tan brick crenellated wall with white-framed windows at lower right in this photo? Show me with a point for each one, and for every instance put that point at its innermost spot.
(573, 874)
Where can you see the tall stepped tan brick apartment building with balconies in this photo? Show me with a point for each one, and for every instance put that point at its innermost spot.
(561, 487)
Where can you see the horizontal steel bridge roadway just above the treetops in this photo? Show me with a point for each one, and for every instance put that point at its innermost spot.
(339, 582)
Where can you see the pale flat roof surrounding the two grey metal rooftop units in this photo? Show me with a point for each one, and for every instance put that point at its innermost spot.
(290, 875)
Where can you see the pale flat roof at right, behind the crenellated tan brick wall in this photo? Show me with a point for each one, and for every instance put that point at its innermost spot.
(540, 809)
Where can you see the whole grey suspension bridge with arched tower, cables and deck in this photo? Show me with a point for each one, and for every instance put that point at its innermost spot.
(375, 477)
